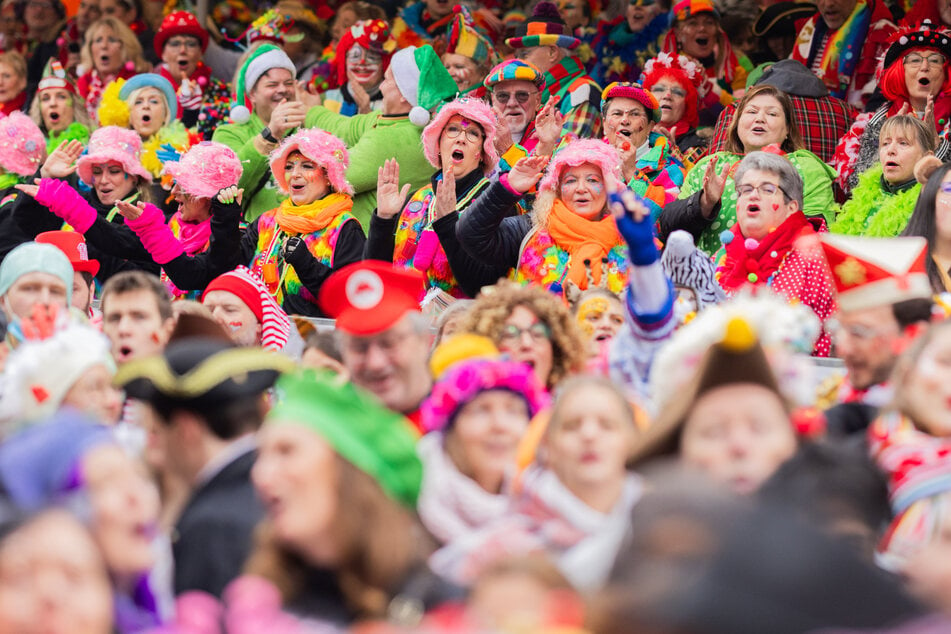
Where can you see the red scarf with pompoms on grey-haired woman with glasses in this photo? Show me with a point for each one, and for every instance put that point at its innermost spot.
(757, 262)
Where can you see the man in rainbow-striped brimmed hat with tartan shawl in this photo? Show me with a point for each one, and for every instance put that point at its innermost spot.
(545, 42)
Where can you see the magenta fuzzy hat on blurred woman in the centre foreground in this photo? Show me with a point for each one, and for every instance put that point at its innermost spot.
(468, 379)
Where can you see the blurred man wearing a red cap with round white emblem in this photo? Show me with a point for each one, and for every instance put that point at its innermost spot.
(385, 340)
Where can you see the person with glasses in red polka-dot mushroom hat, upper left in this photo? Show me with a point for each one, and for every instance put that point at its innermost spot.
(181, 42)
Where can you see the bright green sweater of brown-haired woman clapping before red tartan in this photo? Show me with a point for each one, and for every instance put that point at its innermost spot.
(818, 199)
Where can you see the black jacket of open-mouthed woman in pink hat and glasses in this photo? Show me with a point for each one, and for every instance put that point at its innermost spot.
(471, 274)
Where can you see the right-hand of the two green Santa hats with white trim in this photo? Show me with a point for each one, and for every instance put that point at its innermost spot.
(422, 80)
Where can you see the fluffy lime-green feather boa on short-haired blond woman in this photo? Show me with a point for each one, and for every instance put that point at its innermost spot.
(872, 212)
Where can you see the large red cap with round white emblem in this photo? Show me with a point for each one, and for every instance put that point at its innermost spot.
(370, 296)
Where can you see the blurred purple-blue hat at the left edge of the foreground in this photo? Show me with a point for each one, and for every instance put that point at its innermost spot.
(41, 464)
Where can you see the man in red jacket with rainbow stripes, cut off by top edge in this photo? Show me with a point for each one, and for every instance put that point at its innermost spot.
(842, 44)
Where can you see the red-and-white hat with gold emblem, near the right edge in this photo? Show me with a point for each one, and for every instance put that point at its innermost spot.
(871, 272)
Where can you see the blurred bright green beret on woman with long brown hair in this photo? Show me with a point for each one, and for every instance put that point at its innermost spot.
(376, 440)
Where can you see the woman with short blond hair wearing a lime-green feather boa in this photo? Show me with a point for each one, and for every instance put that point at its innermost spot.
(885, 197)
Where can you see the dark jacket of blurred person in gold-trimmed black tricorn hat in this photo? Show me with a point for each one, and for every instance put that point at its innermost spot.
(213, 536)
